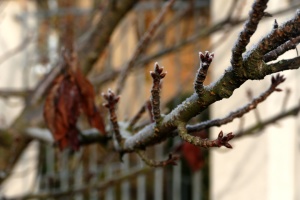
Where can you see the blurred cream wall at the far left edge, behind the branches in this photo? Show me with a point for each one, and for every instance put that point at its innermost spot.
(15, 74)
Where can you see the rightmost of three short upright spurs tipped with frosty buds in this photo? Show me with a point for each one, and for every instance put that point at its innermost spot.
(205, 60)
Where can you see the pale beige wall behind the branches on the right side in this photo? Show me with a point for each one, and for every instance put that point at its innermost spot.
(264, 166)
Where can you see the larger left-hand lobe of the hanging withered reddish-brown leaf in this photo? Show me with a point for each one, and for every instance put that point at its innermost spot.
(61, 112)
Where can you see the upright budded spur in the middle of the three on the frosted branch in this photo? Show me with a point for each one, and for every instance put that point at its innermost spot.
(157, 75)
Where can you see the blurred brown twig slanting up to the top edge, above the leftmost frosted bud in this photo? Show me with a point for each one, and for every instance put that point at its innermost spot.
(142, 46)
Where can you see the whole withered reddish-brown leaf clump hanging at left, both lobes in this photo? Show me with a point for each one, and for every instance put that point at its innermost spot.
(70, 94)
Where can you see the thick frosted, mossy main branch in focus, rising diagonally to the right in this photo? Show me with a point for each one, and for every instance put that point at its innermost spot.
(222, 88)
